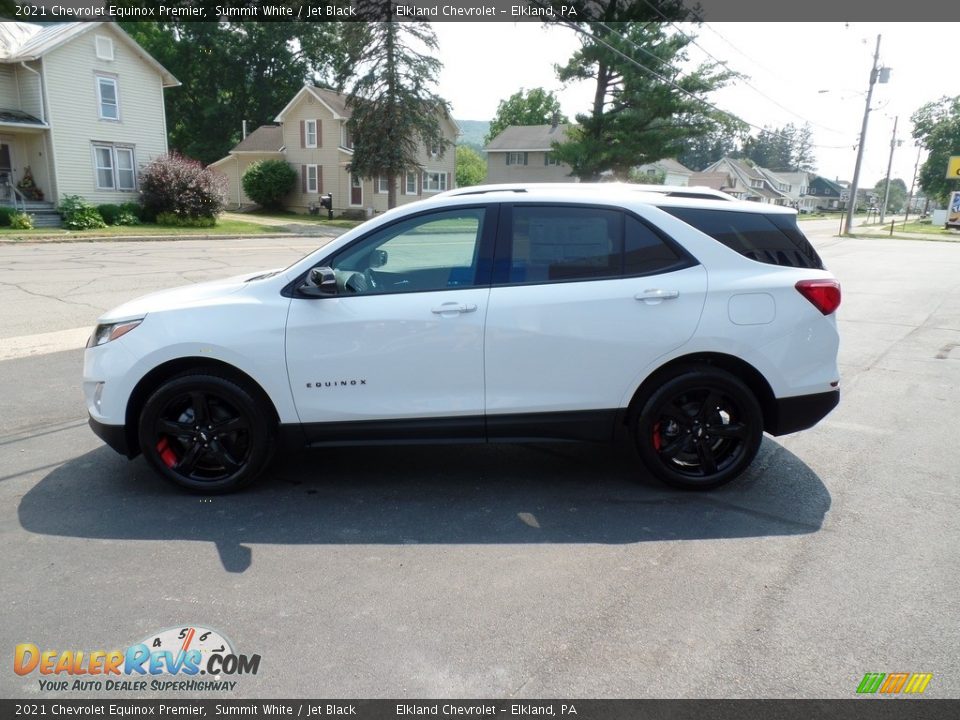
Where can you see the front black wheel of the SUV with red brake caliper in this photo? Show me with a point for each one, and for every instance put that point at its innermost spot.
(206, 433)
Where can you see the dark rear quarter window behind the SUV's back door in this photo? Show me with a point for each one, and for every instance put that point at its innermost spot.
(771, 239)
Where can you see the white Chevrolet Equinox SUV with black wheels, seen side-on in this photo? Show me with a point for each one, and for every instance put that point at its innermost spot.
(687, 322)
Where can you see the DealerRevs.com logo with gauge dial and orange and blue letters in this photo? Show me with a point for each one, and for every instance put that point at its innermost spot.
(189, 658)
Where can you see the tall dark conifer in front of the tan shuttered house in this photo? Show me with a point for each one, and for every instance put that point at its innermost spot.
(390, 70)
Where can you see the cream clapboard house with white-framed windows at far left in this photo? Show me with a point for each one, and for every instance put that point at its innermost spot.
(81, 110)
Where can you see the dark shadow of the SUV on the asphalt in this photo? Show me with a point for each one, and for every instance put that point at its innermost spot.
(460, 494)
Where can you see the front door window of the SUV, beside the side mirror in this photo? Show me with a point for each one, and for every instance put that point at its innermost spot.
(427, 252)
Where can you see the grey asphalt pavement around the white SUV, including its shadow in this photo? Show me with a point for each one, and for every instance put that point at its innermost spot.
(497, 571)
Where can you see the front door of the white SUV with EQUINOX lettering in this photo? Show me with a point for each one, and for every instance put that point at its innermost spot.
(398, 351)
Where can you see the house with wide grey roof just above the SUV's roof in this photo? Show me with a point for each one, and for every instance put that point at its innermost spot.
(523, 153)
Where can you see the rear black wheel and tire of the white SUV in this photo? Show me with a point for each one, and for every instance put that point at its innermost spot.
(699, 429)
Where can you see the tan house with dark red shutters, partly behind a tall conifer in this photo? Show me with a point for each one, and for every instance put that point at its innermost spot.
(311, 135)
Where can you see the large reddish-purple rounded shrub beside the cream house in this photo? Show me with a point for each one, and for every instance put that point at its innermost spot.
(175, 184)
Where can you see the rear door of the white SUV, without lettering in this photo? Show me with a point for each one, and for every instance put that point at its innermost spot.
(583, 299)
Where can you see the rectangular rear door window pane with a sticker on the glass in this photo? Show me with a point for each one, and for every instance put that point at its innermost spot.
(556, 243)
